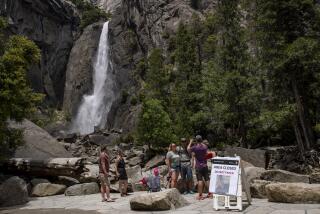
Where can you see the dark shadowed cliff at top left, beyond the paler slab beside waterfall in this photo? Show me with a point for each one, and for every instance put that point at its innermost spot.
(52, 25)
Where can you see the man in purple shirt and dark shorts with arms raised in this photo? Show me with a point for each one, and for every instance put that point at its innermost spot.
(200, 151)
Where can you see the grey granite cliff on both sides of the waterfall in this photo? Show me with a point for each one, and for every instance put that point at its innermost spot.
(65, 71)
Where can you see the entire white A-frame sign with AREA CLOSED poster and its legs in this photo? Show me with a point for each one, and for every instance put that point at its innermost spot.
(226, 179)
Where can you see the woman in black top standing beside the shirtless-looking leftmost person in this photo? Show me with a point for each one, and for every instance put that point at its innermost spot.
(122, 174)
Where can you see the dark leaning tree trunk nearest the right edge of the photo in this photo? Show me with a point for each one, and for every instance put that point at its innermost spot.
(303, 118)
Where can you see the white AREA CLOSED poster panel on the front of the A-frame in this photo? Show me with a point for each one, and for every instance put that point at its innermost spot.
(225, 176)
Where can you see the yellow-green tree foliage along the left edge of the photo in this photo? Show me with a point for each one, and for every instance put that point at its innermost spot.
(17, 99)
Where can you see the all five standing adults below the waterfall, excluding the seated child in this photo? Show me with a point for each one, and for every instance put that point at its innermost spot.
(181, 160)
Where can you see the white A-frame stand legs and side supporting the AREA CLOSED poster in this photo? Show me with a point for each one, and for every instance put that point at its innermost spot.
(227, 204)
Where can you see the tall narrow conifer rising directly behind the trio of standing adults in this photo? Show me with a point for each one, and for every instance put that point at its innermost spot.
(185, 97)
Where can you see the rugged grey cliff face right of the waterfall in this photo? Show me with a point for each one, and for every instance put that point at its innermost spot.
(137, 27)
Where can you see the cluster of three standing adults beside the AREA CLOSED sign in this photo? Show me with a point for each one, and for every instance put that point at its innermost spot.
(181, 160)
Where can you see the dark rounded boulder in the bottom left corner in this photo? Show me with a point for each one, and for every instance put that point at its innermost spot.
(13, 192)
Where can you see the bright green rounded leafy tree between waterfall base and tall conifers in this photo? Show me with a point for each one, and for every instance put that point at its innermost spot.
(155, 125)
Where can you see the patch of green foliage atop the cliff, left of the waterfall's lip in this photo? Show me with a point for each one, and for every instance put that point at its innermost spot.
(90, 13)
